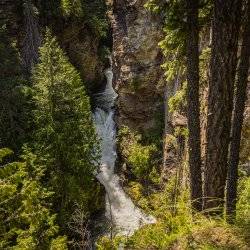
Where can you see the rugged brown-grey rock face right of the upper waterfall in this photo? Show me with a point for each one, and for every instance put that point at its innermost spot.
(136, 63)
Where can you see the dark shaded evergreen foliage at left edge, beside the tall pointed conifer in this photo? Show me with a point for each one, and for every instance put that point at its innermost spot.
(14, 107)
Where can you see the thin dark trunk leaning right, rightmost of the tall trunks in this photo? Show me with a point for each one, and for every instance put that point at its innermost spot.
(238, 116)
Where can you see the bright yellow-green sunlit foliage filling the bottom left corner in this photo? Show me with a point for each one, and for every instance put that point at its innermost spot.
(26, 218)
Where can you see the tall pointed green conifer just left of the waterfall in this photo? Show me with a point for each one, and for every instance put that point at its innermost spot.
(64, 131)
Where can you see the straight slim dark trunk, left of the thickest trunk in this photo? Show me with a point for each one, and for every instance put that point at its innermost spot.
(193, 103)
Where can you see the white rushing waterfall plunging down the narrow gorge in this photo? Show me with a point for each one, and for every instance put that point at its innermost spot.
(124, 215)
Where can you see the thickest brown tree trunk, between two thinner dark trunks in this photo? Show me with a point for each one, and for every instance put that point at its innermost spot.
(225, 32)
